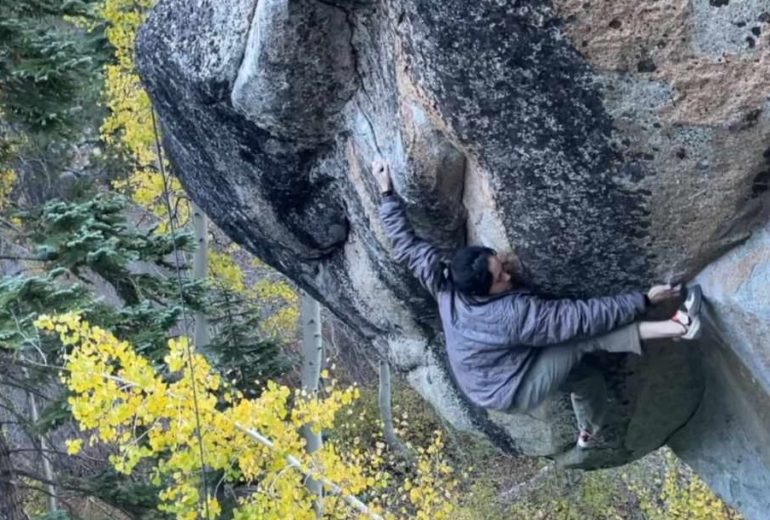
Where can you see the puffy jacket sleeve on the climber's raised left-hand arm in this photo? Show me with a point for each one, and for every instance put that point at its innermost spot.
(421, 257)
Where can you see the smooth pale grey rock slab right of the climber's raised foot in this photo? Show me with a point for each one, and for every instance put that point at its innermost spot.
(728, 437)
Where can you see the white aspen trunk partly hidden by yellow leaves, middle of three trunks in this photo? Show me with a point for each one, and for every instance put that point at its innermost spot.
(312, 360)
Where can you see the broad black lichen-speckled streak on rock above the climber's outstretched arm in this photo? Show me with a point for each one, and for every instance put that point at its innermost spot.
(538, 100)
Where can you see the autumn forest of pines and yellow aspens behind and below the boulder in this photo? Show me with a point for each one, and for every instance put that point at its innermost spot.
(150, 368)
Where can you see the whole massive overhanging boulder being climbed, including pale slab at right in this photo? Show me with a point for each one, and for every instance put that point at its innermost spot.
(611, 144)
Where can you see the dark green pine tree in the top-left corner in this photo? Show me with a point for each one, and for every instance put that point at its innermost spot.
(51, 59)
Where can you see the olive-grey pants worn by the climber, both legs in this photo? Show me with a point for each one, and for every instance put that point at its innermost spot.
(558, 367)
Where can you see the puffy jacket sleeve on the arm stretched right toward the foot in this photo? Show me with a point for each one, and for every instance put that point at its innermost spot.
(538, 322)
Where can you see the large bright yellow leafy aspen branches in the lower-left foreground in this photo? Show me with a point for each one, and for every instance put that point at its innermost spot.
(120, 399)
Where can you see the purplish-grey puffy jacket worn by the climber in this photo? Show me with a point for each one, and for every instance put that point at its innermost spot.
(492, 342)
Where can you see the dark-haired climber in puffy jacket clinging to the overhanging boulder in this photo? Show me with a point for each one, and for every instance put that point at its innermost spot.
(508, 348)
